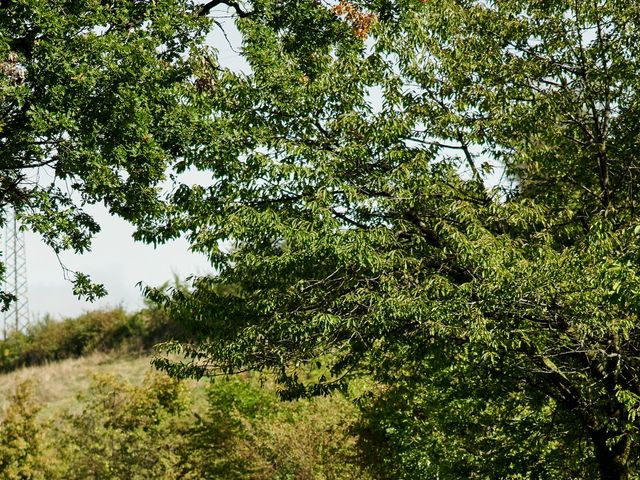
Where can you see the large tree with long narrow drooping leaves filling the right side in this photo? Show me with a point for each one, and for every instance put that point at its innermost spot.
(353, 223)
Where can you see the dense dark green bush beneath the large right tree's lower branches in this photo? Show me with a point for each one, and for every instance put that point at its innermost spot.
(450, 423)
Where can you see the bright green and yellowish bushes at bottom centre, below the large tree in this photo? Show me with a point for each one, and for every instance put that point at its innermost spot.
(264, 438)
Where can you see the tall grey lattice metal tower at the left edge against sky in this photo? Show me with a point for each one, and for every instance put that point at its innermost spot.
(15, 278)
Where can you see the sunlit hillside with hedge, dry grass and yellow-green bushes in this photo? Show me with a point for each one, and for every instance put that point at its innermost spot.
(104, 413)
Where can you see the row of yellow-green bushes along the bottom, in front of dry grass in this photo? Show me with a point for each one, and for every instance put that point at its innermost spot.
(165, 429)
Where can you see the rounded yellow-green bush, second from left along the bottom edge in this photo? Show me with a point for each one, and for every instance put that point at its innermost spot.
(123, 431)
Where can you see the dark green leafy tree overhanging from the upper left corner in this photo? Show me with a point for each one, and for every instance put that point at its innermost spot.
(91, 102)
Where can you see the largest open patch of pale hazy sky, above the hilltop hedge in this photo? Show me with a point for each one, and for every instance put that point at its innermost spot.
(114, 260)
